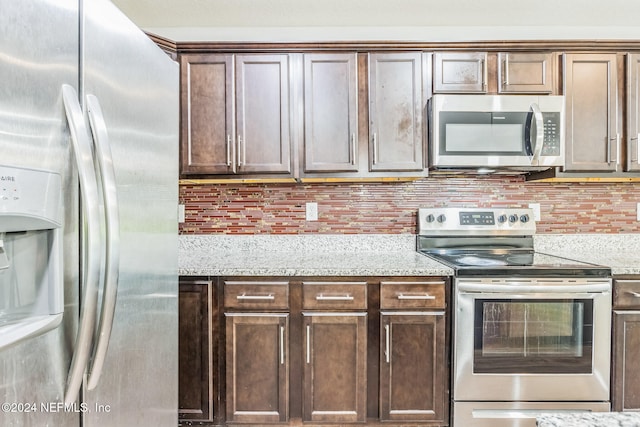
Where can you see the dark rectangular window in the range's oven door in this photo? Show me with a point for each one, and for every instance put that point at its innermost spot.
(533, 336)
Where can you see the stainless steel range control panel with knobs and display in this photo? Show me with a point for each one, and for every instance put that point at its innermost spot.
(475, 221)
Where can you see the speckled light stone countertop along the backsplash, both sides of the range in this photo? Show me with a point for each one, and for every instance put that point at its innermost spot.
(371, 254)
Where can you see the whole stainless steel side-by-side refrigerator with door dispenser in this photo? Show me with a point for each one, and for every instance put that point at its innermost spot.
(88, 219)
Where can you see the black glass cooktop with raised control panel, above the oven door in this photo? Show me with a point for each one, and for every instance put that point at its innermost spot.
(492, 242)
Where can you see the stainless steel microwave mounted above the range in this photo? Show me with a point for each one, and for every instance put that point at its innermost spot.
(522, 132)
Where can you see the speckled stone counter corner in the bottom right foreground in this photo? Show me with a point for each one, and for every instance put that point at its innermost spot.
(593, 419)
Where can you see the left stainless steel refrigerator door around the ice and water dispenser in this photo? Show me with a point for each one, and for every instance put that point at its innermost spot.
(38, 54)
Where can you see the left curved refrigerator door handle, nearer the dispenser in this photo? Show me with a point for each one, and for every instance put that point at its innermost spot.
(92, 252)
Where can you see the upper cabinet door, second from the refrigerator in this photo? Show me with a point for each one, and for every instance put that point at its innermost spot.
(263, 114)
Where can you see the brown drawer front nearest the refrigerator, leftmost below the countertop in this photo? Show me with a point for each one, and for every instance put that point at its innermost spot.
(256, 295)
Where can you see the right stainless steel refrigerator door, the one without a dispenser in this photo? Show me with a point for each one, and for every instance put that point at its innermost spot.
(129, 92)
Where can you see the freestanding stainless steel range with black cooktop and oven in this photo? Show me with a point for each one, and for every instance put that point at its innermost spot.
(531, 331)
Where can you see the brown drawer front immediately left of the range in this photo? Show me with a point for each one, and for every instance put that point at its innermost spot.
(401, 295)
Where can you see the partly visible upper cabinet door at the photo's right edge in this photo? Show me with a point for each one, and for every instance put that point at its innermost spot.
(633, 112)
